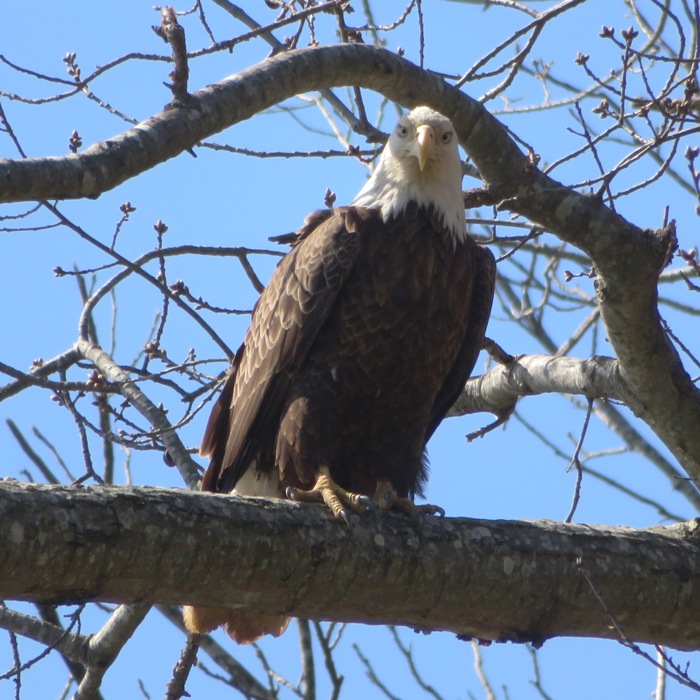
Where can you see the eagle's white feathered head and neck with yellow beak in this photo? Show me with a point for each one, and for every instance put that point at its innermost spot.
(421, 164)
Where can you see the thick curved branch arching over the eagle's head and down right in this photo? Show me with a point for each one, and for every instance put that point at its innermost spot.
(628, 259)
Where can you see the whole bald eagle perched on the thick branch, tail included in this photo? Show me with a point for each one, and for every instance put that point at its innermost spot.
(357, 348)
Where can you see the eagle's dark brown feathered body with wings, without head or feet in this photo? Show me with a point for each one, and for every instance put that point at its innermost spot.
(358, 347)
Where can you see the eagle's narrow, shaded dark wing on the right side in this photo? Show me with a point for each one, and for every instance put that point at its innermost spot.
(479, 311)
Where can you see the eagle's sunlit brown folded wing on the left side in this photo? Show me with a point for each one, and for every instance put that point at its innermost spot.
(287, 318)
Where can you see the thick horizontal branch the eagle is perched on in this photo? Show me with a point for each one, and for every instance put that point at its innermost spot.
(493, 580)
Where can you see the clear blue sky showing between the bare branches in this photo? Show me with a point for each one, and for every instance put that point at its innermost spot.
(225, 199)
